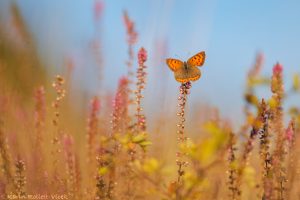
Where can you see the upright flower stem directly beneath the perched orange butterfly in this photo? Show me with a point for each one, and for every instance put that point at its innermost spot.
(181, 163)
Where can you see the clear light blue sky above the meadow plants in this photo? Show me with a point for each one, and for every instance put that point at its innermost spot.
(231, 32)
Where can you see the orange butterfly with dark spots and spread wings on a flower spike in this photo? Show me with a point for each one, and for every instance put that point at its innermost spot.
(187, 71)
